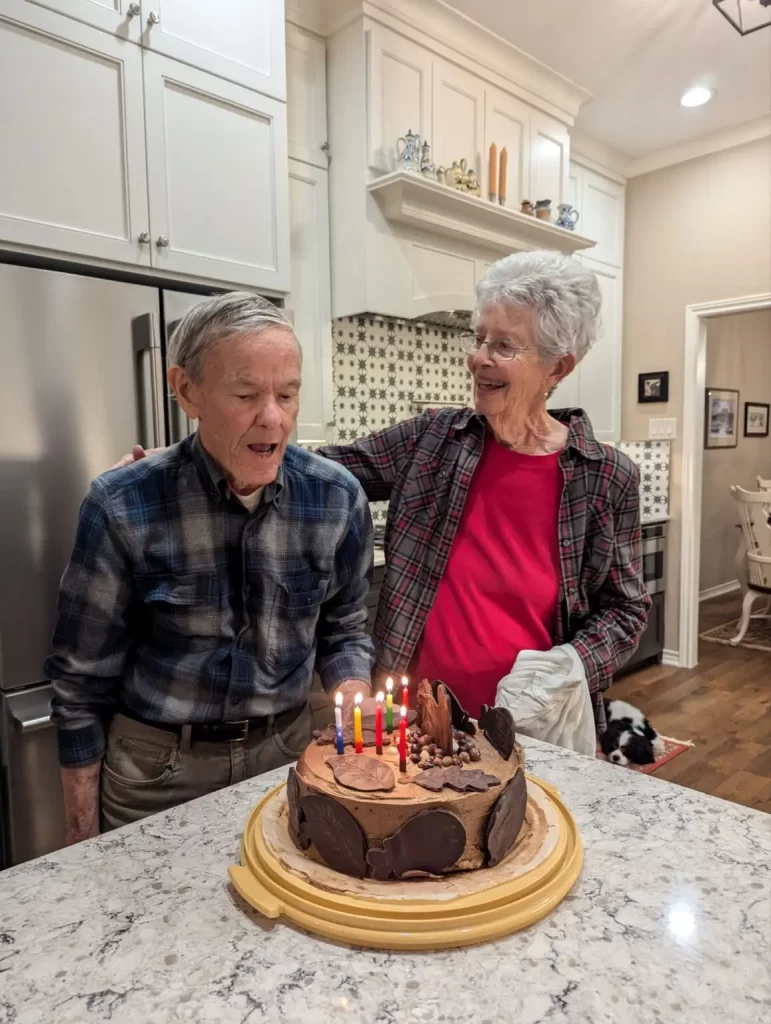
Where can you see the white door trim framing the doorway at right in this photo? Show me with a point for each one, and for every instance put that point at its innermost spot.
(695, 382)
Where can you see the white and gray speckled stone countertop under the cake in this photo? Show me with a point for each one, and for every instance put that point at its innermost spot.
(670, 922)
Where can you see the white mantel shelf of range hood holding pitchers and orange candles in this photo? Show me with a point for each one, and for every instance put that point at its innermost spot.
(411, 199)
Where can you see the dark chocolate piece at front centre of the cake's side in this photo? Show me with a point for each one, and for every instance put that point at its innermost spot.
(429, 844)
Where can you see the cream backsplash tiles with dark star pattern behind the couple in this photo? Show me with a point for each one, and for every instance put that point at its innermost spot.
(388, 370)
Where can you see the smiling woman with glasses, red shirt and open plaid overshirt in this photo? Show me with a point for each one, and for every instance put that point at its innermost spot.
(510, 529)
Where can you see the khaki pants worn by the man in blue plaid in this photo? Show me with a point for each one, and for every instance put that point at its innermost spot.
(147, 771)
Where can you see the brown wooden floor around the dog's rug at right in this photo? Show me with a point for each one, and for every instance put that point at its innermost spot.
(723, 706)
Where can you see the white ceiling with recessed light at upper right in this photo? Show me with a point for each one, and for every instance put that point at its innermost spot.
(637, 58)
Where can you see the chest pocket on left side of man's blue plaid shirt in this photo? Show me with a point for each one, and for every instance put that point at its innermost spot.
(182, 606)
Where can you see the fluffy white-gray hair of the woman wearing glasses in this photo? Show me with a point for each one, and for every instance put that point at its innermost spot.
(565, 294)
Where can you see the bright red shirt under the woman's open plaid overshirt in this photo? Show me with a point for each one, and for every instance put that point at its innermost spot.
(500, 591)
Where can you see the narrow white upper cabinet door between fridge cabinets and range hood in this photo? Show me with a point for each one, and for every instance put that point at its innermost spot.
(307, 98)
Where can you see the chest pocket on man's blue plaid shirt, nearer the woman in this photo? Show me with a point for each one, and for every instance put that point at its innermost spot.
(296, 606)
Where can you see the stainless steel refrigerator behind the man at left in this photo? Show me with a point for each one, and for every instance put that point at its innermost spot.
(82, 378)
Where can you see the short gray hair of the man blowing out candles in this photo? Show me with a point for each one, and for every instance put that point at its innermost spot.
(217, 319)
